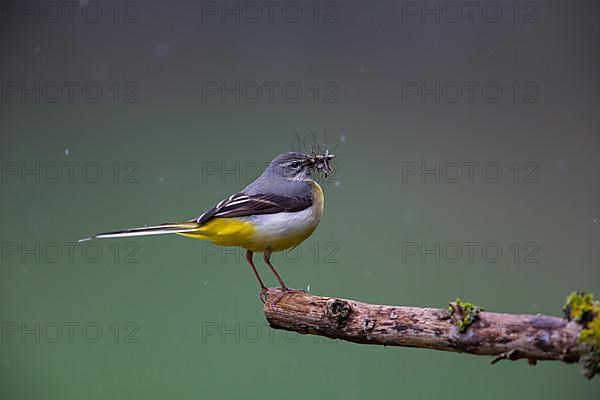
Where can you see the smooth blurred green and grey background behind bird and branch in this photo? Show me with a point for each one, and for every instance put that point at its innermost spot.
(171, 316)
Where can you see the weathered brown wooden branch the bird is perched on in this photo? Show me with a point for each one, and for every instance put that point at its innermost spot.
(505, 336)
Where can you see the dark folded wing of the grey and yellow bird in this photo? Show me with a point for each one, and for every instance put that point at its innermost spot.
(243, 205)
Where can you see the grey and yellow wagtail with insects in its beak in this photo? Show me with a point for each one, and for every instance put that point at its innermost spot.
(277, 211)
